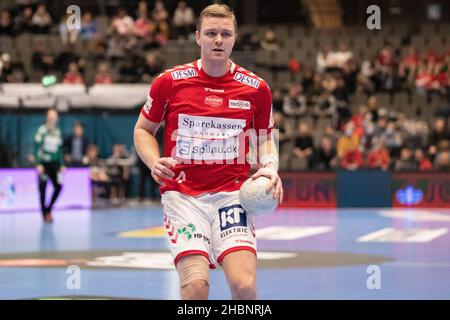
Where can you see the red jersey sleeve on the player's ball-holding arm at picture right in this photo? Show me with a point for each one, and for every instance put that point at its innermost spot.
(263, 119)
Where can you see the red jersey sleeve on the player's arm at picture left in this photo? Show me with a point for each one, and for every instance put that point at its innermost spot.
(157, 99)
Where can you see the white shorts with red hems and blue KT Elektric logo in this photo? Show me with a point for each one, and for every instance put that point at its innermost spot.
(212, 225)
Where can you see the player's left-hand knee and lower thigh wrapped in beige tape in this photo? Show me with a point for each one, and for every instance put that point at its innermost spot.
(194, 277)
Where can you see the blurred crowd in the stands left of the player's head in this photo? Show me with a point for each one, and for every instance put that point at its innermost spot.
(129, 41)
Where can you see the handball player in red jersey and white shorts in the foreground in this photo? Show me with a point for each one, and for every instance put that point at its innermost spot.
(200, 199)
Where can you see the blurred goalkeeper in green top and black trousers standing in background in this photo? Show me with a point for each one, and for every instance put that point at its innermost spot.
(49, 163)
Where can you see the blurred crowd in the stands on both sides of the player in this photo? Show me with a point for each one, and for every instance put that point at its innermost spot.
(321, 126)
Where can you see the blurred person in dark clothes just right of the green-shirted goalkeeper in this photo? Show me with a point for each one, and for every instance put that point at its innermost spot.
(75, 146)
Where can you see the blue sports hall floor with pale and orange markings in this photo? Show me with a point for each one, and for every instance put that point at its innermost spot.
(303, 254)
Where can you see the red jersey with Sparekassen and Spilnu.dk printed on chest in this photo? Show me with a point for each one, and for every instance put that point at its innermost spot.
(206, 124)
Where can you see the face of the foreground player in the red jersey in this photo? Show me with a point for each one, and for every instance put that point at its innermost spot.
(216, 38)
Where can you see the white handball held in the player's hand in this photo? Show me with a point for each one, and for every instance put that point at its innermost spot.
(256, 198)
